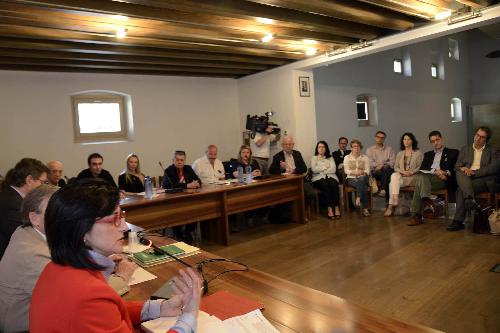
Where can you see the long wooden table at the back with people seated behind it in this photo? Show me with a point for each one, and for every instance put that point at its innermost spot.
(215, 203)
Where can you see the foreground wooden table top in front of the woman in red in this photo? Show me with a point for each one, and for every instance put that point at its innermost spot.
(288, 306)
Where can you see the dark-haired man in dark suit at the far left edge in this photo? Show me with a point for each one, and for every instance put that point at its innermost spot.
(27, 175)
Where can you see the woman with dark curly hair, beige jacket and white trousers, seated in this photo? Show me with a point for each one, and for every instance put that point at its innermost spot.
(407, 164)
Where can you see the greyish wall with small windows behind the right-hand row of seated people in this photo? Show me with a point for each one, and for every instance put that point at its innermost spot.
(417, 104)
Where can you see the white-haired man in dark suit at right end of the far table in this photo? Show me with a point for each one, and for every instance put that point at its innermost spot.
(289, 161)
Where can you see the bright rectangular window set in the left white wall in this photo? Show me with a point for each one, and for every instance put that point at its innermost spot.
(100, 117)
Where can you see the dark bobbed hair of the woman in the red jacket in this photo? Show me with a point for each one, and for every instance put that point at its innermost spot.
(71, 213)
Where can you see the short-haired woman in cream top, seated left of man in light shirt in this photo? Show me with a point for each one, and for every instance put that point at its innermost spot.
(357, 169)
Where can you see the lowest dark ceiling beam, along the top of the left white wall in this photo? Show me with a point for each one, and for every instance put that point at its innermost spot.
(119, 66)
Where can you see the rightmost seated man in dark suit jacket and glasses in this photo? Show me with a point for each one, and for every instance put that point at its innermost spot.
(477, 170)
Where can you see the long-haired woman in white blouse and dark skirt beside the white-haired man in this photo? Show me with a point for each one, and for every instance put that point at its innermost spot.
(324, 178)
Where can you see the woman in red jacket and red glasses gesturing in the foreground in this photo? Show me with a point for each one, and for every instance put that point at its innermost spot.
(83, 225)
